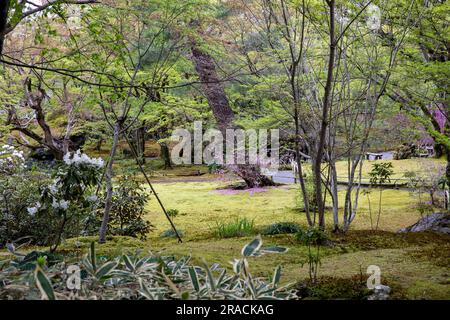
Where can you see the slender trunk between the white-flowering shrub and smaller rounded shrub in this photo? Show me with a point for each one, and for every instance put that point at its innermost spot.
(108, 181)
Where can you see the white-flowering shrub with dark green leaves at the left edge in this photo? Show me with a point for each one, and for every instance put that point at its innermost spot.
(46, 207)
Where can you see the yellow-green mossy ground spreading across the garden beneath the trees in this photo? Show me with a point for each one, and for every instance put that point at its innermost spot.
(416, 266)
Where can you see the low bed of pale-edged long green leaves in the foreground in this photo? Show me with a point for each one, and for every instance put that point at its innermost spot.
(155, 277)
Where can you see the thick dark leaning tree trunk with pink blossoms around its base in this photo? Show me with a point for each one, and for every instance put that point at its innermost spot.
(218, 101)
